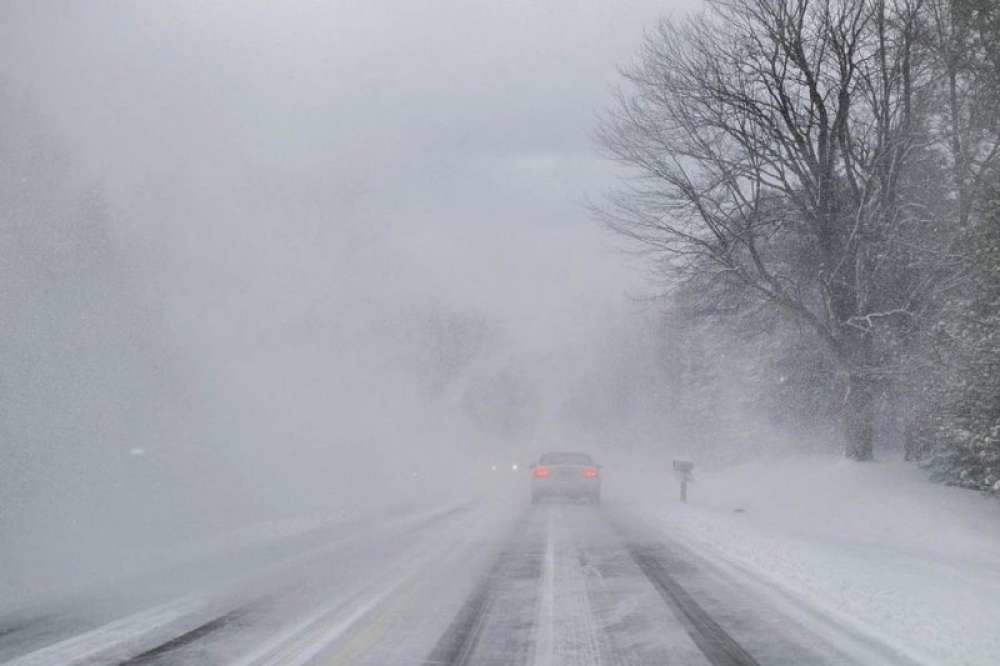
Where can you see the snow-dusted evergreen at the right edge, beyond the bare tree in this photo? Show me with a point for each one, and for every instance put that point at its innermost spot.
(954, 363)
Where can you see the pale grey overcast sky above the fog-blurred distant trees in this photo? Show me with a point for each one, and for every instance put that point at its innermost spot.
(249, 149)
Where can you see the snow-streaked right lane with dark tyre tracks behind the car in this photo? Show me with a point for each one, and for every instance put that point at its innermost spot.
(568, 587)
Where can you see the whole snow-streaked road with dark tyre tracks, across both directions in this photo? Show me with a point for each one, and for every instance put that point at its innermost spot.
(486, 583)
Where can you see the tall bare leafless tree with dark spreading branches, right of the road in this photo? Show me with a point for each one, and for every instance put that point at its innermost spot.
(768, 142)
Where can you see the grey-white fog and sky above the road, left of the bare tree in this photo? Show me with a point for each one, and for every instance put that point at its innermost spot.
(272, 259)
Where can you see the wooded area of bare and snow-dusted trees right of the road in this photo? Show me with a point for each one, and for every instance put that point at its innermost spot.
(823, 176)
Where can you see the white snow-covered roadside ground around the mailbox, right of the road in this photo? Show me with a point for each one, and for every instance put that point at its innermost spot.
(873, 546)
